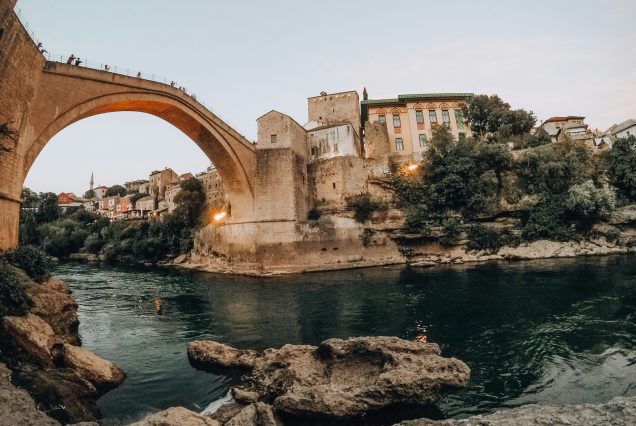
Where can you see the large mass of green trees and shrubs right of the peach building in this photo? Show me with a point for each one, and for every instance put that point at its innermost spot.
(542, 190)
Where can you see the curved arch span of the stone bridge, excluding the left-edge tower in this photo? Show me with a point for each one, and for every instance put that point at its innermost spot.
(68, 94)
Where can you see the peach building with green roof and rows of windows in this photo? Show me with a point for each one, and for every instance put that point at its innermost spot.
(410, 118)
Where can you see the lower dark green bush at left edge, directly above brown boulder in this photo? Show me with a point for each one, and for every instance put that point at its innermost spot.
(14, 299)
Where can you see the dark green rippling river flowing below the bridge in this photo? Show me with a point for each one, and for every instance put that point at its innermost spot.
(552, 331)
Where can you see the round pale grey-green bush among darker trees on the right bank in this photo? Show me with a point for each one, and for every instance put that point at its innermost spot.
(587, 204)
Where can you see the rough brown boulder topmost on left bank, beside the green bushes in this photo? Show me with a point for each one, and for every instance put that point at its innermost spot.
(52, 301)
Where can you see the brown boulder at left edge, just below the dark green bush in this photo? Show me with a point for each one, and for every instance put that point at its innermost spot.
(28, 338)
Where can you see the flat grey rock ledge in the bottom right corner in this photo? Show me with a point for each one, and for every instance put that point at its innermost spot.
(617, 412)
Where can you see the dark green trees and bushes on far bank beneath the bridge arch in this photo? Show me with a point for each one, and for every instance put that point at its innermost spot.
(42, 225)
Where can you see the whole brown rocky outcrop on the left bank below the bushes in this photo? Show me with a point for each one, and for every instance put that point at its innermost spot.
(42, 350)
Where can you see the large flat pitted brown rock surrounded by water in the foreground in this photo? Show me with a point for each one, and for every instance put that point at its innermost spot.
(340, 378)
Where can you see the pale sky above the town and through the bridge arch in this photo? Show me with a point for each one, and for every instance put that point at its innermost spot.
(244, 58)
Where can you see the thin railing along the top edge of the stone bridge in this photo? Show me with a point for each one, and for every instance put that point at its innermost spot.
(132, 72)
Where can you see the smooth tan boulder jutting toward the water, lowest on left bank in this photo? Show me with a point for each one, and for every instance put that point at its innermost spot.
(104, 375)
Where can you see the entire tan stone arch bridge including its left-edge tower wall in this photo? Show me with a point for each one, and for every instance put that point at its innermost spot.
(39, 98)
